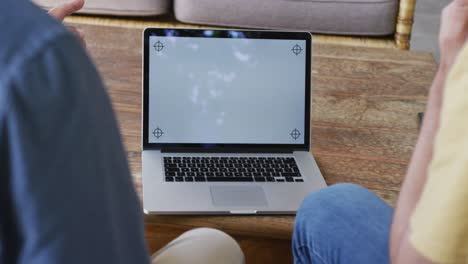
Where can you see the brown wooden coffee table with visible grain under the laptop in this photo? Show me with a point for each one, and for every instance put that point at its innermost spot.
(364, 127)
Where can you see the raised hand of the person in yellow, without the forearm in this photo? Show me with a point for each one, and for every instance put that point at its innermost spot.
(453, 31)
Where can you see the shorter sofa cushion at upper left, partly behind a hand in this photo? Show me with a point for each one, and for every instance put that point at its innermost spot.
(117, 7)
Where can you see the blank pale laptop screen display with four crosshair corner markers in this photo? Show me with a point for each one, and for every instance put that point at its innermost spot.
(226, 90)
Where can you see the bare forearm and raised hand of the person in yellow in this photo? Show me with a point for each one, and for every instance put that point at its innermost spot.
(453, 35)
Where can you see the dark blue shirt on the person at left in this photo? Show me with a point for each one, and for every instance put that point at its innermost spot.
(66, 194)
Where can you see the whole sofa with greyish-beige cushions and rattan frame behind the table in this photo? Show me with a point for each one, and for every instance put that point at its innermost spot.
(370, 18)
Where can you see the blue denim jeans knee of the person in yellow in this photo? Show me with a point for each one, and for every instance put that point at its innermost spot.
(344, 223)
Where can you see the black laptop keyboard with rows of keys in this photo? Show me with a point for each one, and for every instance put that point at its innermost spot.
(231, 169)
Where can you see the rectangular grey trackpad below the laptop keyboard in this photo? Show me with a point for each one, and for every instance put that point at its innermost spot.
(238, 196)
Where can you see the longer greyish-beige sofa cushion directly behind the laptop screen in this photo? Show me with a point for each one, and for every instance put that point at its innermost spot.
(349, 17)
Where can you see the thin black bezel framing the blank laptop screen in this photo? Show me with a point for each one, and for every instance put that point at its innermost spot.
(250, 34)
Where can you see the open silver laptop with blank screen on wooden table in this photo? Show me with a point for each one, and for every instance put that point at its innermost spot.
(226, 122)
